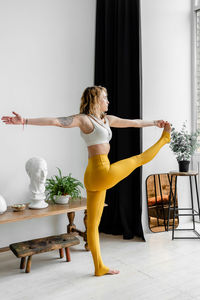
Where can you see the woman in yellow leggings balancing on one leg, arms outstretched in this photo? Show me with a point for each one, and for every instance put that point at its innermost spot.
(99, 176)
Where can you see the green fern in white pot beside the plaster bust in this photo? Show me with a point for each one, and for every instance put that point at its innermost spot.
(60, 188)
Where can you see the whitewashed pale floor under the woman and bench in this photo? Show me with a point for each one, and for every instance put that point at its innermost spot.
(156, 269)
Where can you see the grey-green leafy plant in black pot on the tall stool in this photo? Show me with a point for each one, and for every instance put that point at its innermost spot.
(183, 145)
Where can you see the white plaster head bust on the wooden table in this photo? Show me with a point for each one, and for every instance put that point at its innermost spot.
(36, 168)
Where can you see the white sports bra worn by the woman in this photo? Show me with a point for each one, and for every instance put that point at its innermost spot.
(101, 134)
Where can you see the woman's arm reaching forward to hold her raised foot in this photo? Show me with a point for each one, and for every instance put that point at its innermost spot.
(124, 123)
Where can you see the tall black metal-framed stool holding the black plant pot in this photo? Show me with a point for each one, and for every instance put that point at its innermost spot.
(174, 207)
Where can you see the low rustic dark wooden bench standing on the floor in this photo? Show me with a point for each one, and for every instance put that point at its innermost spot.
(36, 246)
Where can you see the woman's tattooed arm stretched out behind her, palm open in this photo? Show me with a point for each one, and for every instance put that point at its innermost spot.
(66, 122)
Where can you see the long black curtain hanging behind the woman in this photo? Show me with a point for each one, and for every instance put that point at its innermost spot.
(118, 68)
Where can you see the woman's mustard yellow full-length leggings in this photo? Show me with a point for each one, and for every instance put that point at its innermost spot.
(100, 176)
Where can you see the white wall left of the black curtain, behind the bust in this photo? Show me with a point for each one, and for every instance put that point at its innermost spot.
(46, 60)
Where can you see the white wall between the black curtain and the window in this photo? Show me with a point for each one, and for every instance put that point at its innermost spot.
(166, 55)
